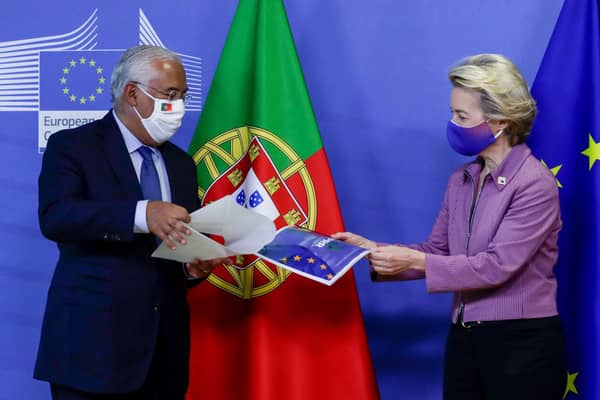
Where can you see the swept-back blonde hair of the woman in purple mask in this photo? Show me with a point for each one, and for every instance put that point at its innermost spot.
(503, 92)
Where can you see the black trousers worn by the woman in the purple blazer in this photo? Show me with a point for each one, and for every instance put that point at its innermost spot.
(517, 359)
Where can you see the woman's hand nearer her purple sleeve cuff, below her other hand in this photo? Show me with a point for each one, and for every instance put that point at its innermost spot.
(391, 260)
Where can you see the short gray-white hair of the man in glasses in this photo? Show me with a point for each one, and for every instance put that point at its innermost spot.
(136, 65)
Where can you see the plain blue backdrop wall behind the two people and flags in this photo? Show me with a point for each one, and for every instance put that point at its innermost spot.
(376, 72)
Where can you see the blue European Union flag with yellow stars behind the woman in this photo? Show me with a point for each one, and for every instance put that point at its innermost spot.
(566, 137)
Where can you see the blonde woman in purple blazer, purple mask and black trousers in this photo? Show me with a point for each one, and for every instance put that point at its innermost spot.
(494, 244)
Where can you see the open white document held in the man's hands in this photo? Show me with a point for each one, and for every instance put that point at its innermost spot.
(244, 232)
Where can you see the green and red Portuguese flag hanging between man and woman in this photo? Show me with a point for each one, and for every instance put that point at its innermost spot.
(258, 331)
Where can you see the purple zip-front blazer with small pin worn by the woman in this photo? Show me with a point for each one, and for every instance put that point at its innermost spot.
(498, 254)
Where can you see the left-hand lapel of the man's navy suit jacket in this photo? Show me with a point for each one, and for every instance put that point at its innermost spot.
(118, 157)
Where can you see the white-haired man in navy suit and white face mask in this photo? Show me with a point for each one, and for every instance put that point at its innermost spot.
(116, 324)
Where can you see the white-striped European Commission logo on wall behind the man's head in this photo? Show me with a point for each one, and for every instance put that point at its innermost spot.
(66, 79)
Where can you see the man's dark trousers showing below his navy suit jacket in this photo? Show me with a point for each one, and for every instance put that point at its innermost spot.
(159, 384)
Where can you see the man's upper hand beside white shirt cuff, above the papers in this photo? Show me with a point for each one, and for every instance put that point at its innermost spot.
(166, 220)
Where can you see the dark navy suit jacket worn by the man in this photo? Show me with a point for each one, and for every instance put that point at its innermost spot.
(108, 297)
